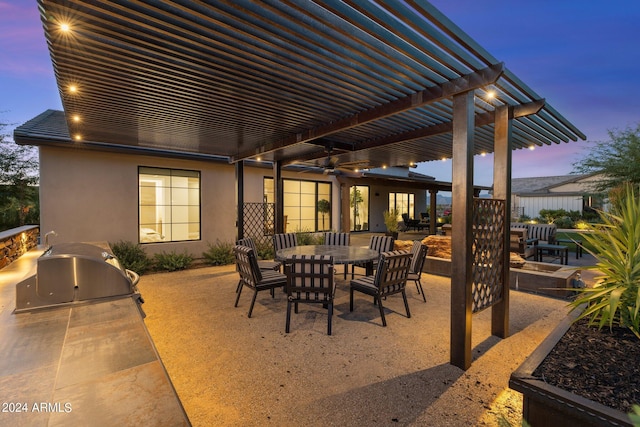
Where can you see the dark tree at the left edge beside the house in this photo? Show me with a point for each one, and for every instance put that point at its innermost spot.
(18, 181)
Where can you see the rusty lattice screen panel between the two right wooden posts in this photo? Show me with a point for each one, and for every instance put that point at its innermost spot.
(488, 252)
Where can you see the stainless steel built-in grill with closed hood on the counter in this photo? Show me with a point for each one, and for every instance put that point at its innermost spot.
(70, 273)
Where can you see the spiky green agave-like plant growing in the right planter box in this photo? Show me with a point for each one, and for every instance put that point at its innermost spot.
(615, 300)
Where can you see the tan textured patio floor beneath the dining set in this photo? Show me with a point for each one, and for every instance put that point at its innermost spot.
(232, 370)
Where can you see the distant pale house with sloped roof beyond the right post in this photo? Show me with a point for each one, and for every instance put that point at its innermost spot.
(570, 192)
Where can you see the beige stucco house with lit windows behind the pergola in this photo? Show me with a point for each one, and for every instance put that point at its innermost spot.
(99, 192)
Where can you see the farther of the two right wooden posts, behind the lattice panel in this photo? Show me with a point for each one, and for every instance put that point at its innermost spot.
(502, 190)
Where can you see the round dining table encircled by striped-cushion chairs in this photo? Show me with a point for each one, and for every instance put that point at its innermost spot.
(341, 254)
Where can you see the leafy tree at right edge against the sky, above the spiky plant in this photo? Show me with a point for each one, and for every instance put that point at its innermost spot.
(618, 159)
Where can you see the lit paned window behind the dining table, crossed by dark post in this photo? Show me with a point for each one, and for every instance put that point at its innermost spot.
(307, 204)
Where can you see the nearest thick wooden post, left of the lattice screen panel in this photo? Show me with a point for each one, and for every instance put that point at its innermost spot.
(461, 239)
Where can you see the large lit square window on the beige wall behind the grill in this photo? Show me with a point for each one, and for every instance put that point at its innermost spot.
(169, 202)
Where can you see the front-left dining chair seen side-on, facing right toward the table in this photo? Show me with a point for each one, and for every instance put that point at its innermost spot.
(252, 277)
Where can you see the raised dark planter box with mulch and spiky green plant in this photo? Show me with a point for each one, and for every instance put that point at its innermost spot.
(586, 371)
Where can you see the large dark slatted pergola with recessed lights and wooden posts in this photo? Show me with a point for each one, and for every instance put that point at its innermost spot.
(357, 84)
